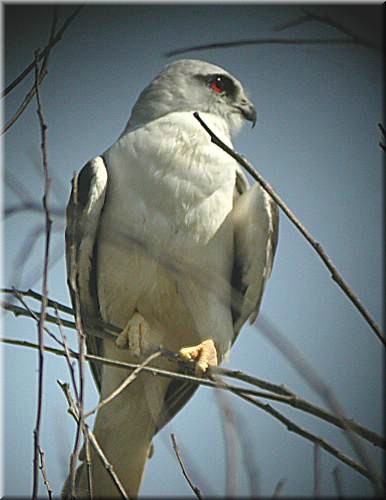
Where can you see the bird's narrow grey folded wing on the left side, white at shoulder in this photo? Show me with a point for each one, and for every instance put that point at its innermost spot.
(83, 215)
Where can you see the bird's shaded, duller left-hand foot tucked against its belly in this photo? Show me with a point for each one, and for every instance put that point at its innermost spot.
(135, 335)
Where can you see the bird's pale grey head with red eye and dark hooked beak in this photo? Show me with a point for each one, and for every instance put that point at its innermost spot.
(193, 85)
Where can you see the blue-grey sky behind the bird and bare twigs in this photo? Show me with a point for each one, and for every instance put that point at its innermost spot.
(316, 141)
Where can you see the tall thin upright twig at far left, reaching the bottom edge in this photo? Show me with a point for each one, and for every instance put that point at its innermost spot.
(43, 130)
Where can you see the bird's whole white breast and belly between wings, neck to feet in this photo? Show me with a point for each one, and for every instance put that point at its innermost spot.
(165, 224)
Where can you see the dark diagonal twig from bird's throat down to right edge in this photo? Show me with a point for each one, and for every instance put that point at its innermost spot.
(336, 276)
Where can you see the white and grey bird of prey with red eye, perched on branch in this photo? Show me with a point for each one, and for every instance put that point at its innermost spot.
(172, 247)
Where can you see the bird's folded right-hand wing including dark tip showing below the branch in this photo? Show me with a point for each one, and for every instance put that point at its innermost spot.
(255, 220)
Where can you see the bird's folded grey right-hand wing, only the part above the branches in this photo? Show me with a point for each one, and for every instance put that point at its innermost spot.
(256, 224)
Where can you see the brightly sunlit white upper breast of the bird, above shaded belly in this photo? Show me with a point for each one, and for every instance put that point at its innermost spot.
(178, 182)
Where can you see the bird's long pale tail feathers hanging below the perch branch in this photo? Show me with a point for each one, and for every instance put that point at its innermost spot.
(124, 429)
